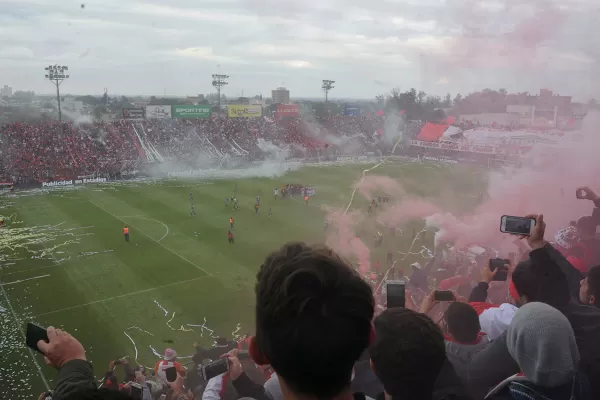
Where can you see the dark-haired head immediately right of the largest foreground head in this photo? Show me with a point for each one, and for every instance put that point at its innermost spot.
(408, 353)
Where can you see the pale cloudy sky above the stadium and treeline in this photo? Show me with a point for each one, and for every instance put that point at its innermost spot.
(156, 47)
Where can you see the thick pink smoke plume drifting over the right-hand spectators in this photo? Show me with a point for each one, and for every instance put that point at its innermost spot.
(545, 183)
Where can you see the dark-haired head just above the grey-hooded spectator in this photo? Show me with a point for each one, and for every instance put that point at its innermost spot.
(532, 286)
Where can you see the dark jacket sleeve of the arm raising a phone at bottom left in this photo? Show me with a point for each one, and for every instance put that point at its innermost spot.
(75, 376)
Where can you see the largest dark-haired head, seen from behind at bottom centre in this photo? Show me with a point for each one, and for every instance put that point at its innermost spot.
(313, 319)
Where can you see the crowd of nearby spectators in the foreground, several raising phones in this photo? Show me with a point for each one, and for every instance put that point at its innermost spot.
(322, 332)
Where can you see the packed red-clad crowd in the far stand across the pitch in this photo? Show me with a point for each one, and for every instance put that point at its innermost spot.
(51, 150)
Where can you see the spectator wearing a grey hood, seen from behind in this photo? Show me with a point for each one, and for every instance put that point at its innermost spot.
(540, 339)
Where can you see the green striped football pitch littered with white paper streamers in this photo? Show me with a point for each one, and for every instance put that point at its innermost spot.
(65, 262)
